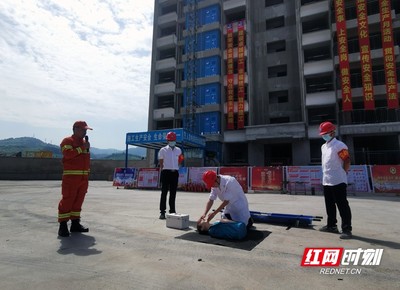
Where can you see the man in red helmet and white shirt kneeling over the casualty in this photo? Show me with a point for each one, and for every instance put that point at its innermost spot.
(234, 202)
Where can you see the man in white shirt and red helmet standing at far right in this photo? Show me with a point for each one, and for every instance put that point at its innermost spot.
(335, 166)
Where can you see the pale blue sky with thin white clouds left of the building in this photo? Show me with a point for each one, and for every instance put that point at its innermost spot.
(68, 60)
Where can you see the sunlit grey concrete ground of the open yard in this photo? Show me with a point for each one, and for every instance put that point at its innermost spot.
(128, 247)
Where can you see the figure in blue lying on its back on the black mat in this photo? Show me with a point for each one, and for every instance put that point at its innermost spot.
(223, 229)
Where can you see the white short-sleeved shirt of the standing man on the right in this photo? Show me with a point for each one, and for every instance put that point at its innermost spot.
(332, 165)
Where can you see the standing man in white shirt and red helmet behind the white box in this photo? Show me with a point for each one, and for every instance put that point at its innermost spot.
(169, 158)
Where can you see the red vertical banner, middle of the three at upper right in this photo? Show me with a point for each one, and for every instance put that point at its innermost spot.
(365, 55)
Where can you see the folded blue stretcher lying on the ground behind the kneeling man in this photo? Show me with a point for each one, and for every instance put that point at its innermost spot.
(286, 219)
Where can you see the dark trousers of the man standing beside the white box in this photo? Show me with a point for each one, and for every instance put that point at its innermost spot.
(169, 181)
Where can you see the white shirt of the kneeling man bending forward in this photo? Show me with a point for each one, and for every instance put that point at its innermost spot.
(230, 189)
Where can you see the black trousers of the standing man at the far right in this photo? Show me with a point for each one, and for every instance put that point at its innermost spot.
(337, 196)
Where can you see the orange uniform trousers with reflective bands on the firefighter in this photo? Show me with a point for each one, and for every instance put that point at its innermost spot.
(73, 191)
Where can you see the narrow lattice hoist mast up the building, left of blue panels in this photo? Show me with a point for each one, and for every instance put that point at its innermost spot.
(191, 67)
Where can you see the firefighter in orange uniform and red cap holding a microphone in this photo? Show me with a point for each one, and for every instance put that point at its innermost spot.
(75, 179)
